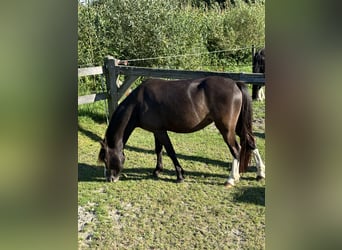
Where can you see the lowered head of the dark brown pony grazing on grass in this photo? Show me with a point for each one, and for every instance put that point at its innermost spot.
(113, 158)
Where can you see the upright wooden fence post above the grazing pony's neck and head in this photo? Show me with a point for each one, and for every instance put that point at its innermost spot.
(111, 78)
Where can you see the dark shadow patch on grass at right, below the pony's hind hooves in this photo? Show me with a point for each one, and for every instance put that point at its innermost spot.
(252, 195)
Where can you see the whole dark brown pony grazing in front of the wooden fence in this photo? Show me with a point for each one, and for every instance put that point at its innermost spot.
(181, 106)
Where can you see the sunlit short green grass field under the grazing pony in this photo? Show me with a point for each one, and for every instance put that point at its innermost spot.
(140, 212)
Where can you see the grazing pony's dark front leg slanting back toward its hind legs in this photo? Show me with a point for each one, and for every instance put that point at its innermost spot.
(164, 139)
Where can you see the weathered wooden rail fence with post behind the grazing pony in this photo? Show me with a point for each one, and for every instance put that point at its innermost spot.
(112, 68)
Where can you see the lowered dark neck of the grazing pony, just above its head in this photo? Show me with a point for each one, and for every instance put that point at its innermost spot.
(121, 126)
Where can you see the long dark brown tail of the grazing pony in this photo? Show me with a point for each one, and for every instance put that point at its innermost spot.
(244, 128)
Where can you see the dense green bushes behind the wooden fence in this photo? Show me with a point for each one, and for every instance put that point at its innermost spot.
(135, 29)
